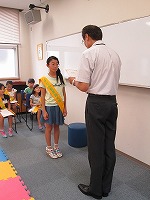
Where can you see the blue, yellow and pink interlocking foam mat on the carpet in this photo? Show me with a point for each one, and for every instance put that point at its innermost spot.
(11, 185)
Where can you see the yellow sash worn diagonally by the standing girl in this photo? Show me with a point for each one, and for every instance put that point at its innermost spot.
(53, 92)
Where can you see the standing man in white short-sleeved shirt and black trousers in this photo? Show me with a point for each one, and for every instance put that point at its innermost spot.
(98, 75)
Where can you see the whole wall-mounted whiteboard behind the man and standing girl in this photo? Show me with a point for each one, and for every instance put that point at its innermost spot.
(131, 40)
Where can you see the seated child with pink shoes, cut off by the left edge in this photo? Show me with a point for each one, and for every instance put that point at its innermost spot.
(5, 103)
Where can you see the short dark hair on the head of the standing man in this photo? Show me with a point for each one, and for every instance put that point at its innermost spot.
(93, 31)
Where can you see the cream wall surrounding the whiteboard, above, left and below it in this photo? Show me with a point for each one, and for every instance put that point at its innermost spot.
(68, 17)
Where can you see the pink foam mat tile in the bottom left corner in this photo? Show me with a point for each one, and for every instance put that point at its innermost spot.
(14, 189)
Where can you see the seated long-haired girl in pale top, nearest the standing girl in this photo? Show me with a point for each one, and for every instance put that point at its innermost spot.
(35, 103)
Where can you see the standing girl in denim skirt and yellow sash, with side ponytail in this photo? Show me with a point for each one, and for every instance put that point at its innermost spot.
(53, 97)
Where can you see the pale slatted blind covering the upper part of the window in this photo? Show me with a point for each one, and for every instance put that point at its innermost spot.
(9, 26)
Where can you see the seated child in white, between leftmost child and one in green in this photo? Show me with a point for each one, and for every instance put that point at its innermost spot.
(12, 92)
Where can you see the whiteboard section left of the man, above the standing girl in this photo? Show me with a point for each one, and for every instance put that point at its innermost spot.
(68, 50)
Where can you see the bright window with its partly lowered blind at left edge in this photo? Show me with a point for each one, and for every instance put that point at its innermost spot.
(9, 40)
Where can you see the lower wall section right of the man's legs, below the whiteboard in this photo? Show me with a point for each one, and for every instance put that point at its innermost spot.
(133, 135)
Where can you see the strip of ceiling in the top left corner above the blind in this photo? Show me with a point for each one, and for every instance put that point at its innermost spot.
(20, 4)
